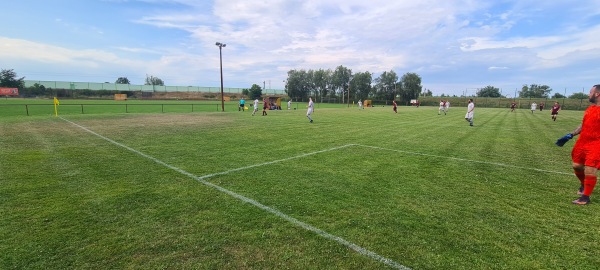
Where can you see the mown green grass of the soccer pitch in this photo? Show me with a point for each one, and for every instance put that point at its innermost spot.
(423, 190)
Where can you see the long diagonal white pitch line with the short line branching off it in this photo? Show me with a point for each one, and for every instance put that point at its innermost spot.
(357, 248)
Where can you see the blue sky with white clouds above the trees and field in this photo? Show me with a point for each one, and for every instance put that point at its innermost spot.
(455, 46)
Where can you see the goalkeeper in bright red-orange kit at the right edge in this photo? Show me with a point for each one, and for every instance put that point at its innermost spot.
(586, 151)
